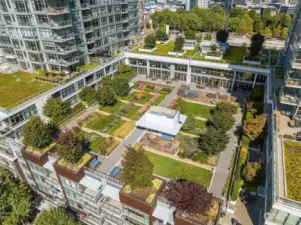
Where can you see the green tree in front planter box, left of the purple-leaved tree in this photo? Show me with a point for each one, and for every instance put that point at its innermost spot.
(137, 168)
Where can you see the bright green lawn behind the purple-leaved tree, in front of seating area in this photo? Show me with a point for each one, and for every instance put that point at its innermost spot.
(170, 168)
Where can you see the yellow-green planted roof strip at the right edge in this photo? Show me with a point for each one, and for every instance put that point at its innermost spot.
(292, 154)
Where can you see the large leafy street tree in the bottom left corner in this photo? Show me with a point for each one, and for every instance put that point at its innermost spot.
(16, 202)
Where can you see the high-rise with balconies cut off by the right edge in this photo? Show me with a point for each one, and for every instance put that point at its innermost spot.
(291, 92)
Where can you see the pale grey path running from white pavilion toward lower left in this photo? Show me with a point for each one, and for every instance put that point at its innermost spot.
(115, 157)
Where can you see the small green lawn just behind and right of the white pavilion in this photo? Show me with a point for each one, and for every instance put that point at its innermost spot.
(196, 109)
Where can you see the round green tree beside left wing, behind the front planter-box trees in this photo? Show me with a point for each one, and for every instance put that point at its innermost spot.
(56, 110)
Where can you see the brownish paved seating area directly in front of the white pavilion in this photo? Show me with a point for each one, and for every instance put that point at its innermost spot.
(158, 143)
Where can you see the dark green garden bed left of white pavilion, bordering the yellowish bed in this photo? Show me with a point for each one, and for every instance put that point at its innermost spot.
(106, 124)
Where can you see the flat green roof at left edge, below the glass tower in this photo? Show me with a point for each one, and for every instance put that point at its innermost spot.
(13, 92)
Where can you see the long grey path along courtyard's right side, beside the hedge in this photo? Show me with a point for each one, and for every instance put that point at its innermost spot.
(220, 175)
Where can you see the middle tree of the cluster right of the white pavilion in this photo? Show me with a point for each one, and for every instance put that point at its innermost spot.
(222, 121)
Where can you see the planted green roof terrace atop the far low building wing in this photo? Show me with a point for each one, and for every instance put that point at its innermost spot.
(234, 54)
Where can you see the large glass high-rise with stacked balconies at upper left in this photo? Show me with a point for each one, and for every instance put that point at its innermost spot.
(61, 35)
